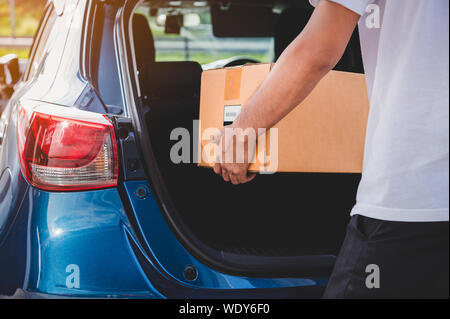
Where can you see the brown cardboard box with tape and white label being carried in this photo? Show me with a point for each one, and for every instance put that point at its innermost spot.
(325, 133)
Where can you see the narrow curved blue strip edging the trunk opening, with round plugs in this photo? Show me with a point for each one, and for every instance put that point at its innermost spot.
(172, 257)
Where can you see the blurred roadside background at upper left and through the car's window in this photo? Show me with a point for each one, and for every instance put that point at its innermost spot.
(19, 20)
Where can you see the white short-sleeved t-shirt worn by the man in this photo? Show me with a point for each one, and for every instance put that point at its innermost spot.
(405, 48)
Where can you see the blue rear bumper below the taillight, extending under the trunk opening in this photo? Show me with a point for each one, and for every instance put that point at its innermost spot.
(82, 245)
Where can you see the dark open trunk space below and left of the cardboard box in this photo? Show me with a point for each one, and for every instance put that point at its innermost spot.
(272, 225)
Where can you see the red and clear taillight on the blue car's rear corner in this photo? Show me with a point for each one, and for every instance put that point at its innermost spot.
(62, 148)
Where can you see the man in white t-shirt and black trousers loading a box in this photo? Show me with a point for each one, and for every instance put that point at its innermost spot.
(397, 240)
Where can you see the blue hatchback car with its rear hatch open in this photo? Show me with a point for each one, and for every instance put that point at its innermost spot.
(92, 203)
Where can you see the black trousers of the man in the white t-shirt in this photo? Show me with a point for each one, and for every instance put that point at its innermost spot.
(384, 259)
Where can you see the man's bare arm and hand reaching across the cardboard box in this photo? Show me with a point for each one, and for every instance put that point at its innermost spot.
(298, 70)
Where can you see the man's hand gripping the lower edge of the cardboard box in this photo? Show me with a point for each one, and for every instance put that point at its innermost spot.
(236, 151)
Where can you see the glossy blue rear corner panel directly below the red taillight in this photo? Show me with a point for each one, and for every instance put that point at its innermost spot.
(83, 231)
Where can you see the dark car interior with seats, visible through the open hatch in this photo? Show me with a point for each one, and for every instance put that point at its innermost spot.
(279, 218)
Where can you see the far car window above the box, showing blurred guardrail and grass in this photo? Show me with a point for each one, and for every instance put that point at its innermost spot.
(196, 41)
